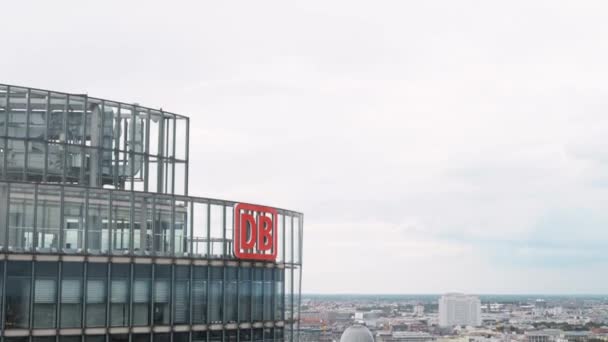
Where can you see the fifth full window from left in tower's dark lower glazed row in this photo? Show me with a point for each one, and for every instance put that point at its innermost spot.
(119, 295)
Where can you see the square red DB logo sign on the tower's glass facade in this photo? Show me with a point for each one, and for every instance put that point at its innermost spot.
(255, 232)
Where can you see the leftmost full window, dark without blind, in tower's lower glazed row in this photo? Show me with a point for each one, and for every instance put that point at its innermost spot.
(18, 282)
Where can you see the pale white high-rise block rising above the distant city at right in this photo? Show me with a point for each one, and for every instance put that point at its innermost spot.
(459, 309)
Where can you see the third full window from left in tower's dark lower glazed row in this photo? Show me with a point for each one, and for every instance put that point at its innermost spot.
(71, 295)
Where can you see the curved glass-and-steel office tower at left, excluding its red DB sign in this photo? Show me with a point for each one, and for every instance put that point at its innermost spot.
(100, 240)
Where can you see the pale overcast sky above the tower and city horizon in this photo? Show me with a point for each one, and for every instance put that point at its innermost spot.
(433, 146)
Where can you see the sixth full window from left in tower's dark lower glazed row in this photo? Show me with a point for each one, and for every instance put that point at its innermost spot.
(142, 283)
